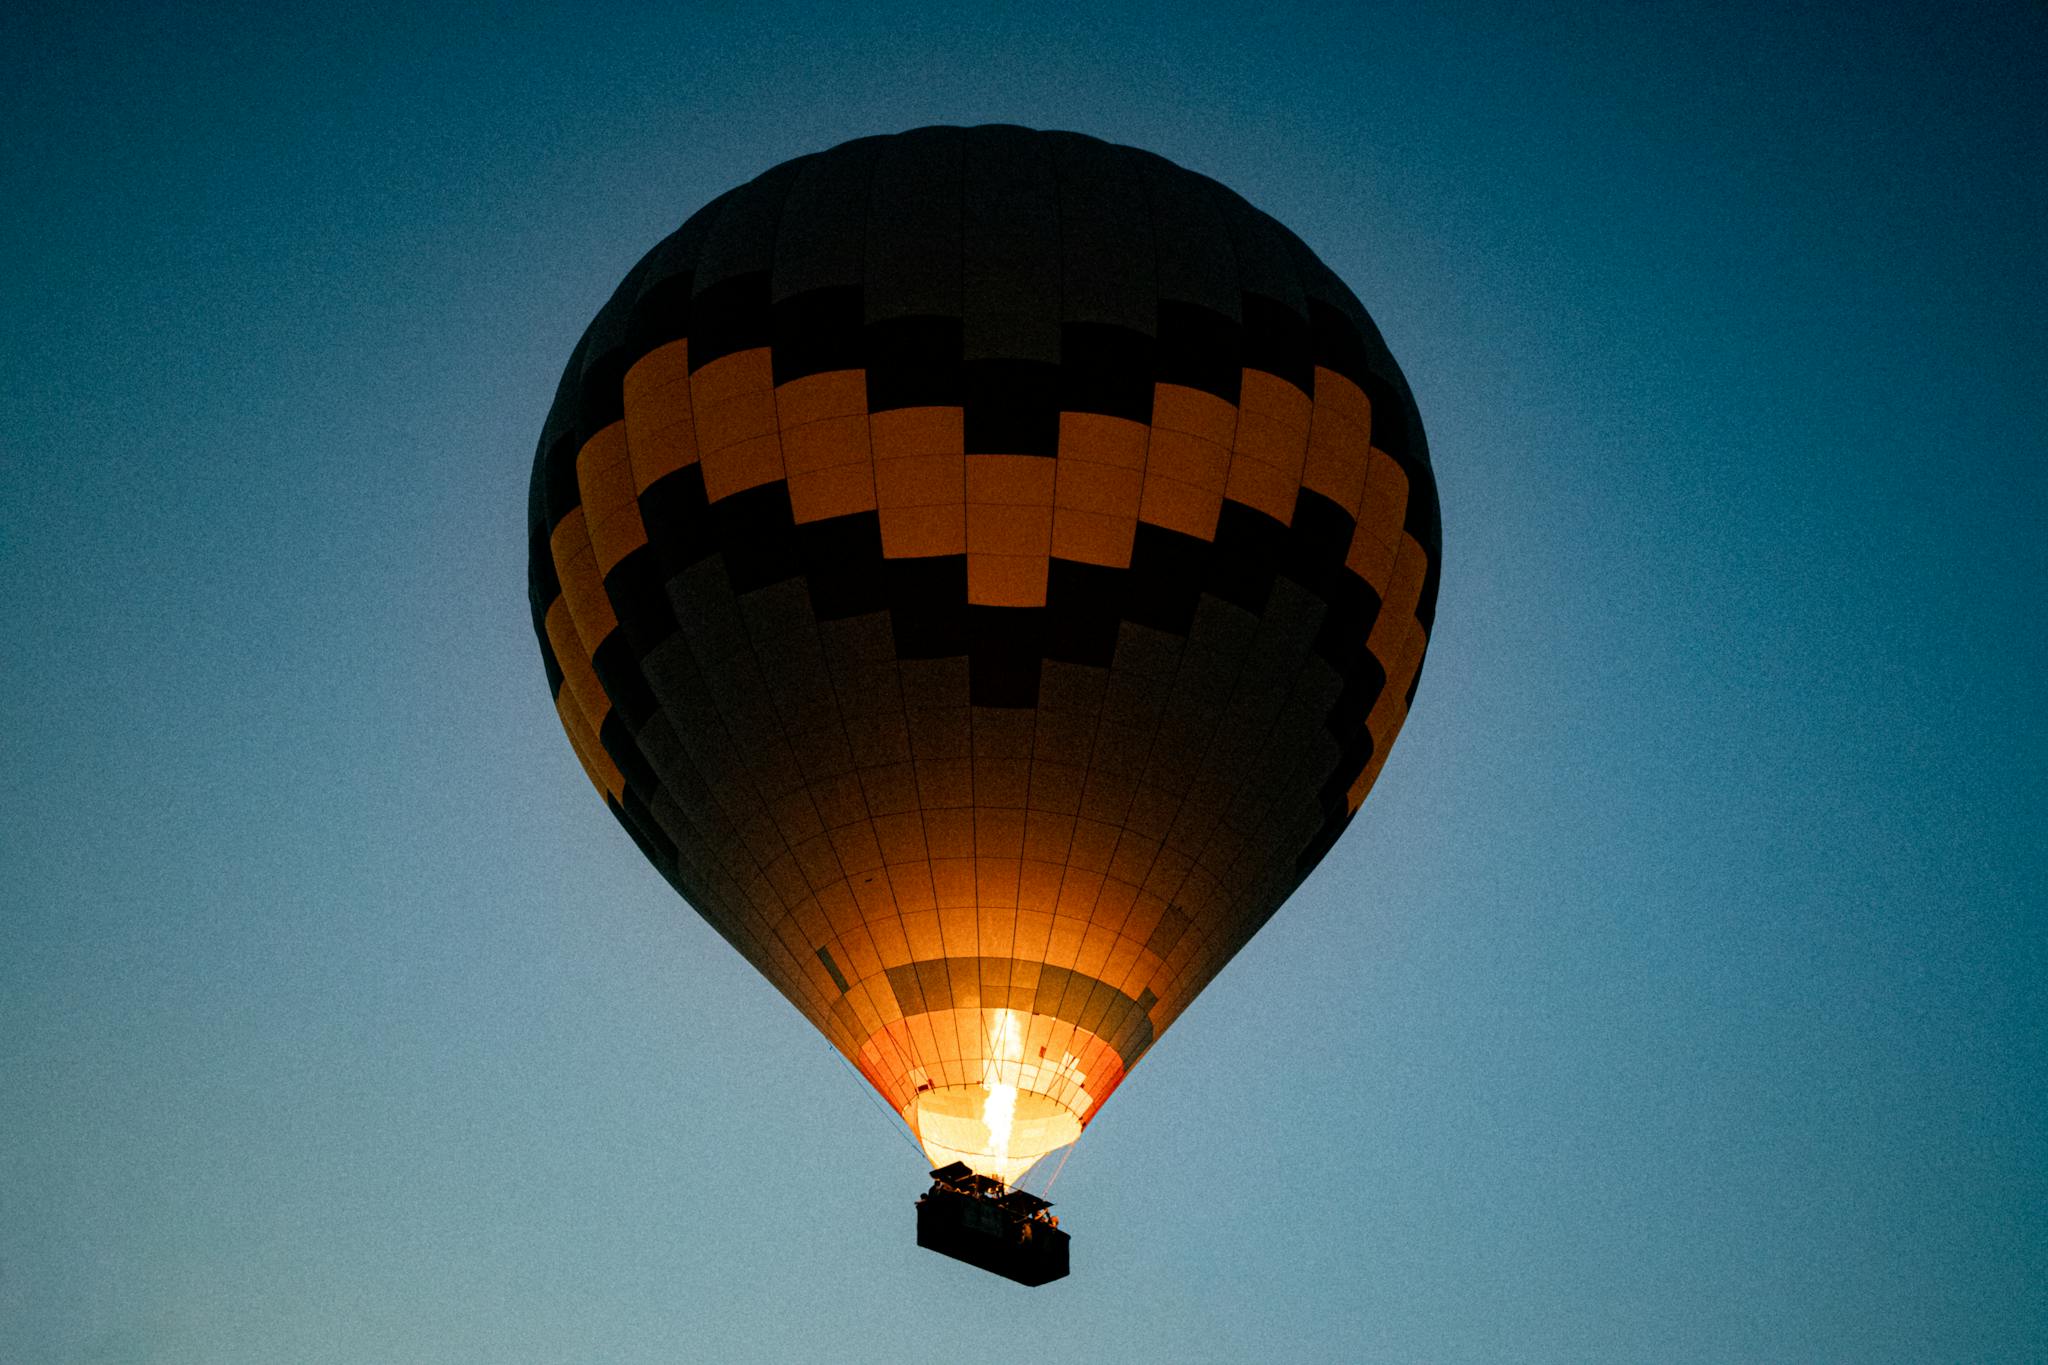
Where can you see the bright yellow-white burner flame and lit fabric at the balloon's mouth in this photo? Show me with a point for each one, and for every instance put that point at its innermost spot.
(1007, 1122)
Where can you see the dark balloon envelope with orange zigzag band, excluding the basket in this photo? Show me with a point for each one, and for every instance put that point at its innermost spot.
(984, 570)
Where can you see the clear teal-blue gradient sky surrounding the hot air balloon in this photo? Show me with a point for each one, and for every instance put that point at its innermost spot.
(1680, 994)
